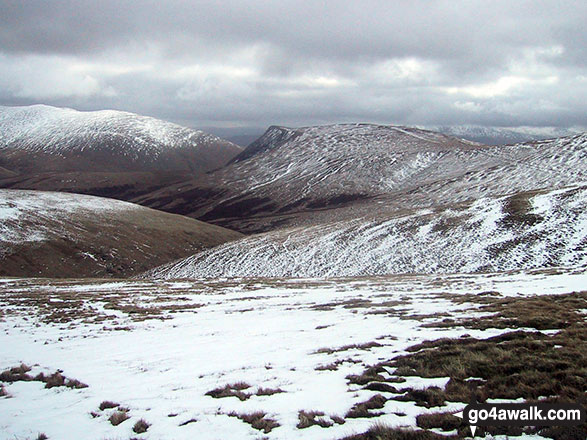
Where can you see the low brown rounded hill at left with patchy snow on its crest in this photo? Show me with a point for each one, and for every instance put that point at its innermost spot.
(70, 235)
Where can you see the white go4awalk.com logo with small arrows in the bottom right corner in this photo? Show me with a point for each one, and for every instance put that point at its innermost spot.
(522, 414)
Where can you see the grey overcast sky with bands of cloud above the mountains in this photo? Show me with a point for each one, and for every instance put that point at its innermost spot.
(254, 63)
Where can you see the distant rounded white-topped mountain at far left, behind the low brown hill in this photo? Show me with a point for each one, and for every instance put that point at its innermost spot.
(106, 153)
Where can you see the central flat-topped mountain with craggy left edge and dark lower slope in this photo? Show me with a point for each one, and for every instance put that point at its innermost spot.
(308, 169)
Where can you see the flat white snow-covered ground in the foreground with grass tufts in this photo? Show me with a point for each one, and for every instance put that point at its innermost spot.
(157, 348)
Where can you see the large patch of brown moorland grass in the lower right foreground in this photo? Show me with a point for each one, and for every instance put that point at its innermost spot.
(517, 364)
